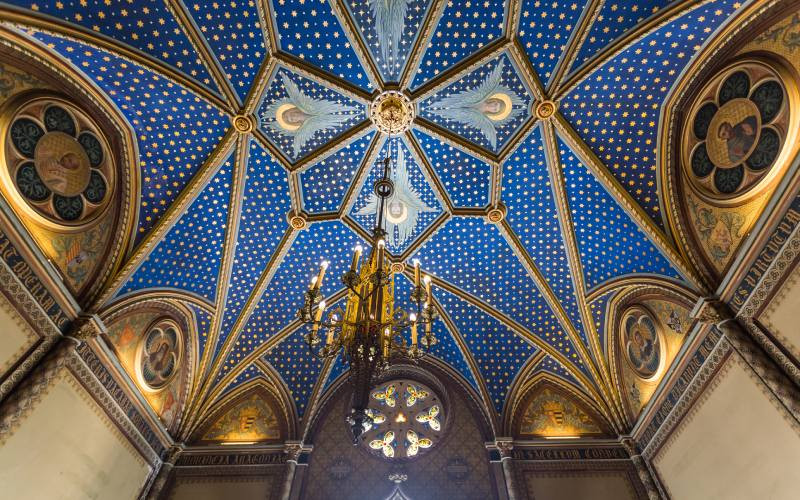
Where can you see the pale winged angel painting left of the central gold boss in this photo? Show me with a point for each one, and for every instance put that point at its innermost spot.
(301, 117)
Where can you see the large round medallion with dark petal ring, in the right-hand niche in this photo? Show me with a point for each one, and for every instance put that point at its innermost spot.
(737, 129)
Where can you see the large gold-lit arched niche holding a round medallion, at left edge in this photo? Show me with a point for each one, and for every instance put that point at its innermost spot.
(68, 169)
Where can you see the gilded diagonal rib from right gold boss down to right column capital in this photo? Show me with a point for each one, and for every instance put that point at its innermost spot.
(626, 202)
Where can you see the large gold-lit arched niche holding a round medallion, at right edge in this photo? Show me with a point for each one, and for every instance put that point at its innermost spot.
(728, 138)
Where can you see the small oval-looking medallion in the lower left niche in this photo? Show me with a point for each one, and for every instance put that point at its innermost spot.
(159, 353)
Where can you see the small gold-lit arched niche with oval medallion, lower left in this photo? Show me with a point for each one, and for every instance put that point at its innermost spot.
(155, 338)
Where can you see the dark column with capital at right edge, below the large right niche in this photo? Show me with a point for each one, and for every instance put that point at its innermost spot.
(711, 310)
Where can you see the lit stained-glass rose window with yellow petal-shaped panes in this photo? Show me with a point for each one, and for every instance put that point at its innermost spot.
(407, 420)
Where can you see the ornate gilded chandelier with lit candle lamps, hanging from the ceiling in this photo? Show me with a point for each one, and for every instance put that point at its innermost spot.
(370, 332)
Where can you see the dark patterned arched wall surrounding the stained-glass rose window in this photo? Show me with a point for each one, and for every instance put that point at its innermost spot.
(457, 466)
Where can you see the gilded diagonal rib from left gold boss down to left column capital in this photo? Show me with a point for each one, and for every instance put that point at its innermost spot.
(171, 216)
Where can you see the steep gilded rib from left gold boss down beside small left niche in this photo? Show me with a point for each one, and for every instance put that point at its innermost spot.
(229, 248)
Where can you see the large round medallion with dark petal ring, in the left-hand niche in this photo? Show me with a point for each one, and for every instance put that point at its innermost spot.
(59, 163)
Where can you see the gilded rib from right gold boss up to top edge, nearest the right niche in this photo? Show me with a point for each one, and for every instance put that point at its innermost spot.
(640, 30)
